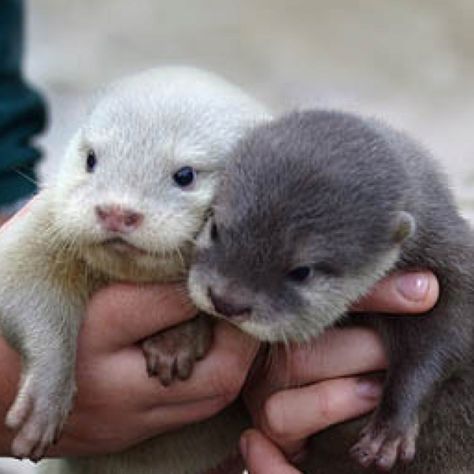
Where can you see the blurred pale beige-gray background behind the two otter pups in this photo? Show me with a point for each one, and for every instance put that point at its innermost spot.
(411, 63)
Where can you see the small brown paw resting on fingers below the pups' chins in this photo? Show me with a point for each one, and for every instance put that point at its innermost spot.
(171, 354)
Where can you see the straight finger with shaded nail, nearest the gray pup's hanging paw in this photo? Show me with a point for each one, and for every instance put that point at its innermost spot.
(292, 415)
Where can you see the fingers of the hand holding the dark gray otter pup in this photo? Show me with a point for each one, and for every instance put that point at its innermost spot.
(309, 388)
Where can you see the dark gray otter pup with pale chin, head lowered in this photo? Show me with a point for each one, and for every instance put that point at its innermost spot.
(315, 208)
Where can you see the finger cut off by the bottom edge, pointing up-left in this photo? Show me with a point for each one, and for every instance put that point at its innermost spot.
(262, 456)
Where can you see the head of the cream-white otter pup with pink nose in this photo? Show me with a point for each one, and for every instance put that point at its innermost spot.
(123, 163)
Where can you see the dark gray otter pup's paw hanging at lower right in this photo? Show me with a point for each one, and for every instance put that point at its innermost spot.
(383, 444)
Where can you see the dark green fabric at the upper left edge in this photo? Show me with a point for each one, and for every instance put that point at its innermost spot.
(22, 110)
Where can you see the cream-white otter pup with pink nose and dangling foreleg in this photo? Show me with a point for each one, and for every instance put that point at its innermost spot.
(132, 192)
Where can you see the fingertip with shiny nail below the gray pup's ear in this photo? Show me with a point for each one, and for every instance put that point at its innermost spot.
(402, 293)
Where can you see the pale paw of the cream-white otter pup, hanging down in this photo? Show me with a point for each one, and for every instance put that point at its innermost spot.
(38, 417)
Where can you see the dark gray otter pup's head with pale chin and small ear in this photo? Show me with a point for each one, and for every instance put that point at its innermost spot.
(303, 225)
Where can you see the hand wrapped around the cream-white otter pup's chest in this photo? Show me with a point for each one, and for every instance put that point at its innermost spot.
(117, 404)
